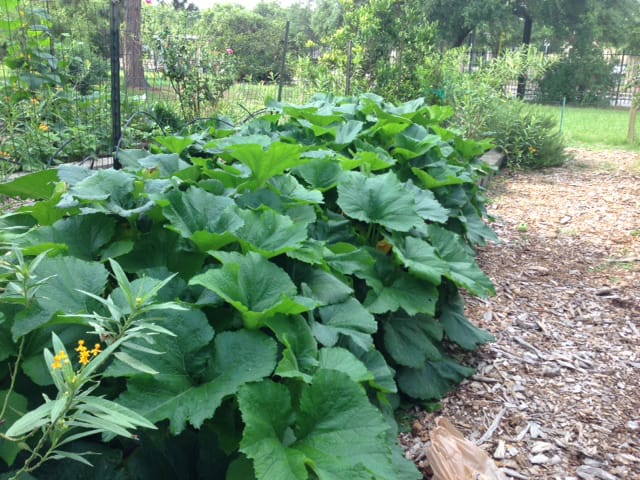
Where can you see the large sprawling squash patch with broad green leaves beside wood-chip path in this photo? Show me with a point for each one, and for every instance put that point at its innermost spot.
(289, 278)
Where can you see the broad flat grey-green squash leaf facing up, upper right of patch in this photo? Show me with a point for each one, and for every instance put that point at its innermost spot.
(380, 199)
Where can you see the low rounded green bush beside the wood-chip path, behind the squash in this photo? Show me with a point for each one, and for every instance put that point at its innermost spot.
(529, 140)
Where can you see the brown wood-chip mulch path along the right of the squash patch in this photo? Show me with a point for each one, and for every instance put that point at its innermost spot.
(557, 396)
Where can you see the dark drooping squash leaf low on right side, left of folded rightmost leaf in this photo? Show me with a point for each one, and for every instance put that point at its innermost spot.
(411, 341)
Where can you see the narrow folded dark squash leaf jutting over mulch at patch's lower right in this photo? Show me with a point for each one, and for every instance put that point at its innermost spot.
(458, 328)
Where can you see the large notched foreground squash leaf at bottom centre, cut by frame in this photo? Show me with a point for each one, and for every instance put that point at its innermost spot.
(336, 433)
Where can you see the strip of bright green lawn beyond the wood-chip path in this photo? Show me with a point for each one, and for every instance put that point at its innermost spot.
(595, 128)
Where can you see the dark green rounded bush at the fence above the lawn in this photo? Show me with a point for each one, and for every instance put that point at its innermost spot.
(586, 79)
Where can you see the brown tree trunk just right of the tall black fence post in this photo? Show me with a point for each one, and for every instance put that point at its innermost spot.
(133, 68)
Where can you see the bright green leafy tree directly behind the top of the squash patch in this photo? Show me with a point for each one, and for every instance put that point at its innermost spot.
(387, 38)
